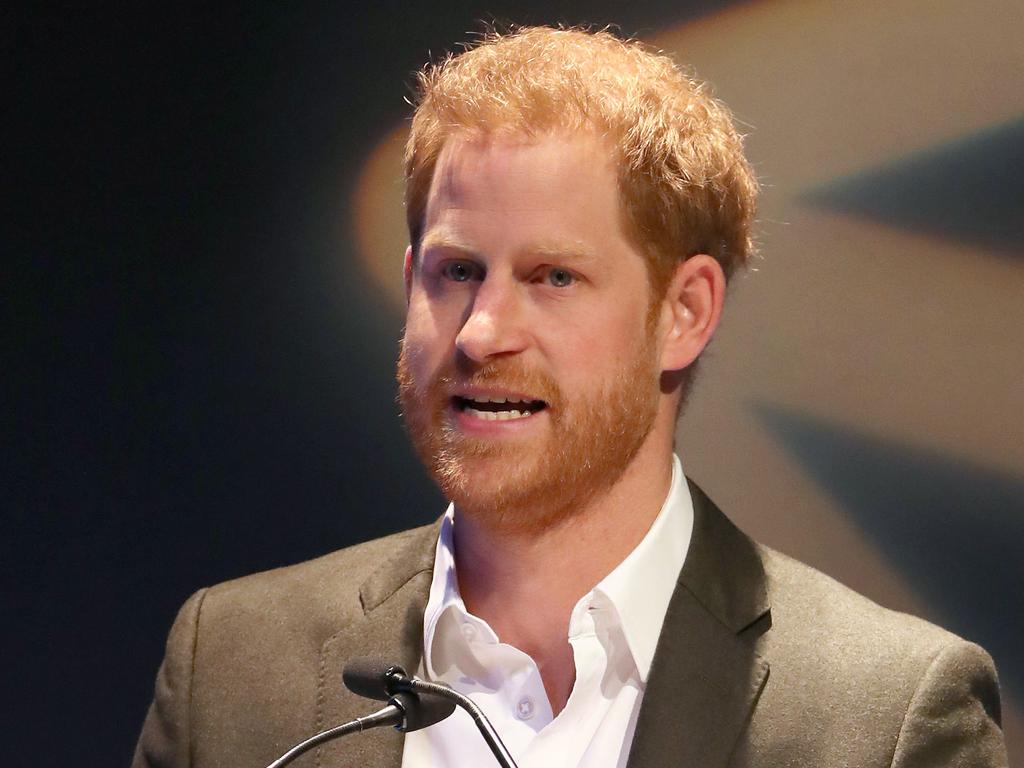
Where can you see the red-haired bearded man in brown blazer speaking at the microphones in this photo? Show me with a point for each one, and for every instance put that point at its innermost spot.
(576, 206)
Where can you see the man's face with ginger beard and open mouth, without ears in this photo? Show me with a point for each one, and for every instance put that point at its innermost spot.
(529, 372)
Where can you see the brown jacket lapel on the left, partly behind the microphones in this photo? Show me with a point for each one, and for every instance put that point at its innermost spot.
(394, 600)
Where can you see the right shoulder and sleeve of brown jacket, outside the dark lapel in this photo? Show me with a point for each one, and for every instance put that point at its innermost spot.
(878, 686)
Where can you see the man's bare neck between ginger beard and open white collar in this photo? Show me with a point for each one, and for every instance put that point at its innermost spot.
(526, 584)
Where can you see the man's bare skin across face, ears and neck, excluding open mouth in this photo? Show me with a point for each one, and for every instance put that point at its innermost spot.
(528, 286)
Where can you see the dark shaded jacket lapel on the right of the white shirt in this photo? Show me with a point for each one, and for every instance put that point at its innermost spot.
(706, 677)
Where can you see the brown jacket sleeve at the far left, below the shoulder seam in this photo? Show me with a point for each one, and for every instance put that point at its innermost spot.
(166, 733)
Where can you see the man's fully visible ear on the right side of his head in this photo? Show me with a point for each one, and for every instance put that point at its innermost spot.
(691, 311)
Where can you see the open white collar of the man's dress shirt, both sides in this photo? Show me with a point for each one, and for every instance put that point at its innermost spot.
(639, 588)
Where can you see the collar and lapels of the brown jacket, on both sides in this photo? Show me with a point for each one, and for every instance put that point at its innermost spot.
(705, 680)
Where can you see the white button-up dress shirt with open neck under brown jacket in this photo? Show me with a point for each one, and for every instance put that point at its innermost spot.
(614, 631)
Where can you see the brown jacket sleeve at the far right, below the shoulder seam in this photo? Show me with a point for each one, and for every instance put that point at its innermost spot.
(954, 717)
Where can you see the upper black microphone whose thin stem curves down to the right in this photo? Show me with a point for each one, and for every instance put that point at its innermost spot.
(375, 678)
